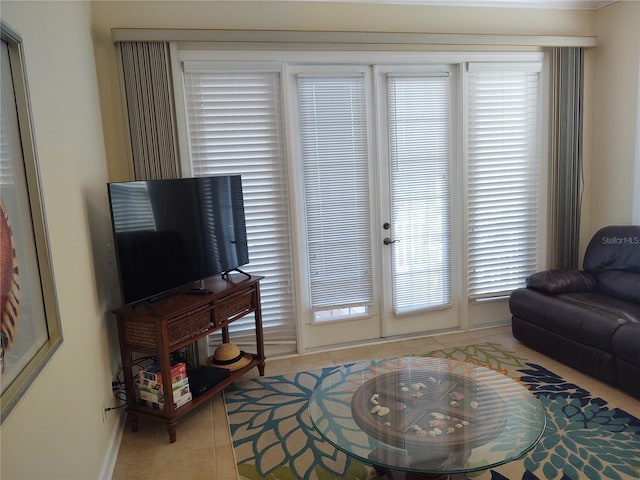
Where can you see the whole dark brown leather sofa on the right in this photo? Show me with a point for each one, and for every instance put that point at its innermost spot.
(588, 319)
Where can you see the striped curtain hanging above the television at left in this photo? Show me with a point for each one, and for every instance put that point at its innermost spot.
(146, 74)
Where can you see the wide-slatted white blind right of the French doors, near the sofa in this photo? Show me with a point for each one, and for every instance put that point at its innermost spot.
(503, 151)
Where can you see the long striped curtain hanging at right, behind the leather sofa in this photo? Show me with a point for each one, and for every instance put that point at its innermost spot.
(567, 87)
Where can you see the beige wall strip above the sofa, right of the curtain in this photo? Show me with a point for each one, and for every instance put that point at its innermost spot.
(615, 117)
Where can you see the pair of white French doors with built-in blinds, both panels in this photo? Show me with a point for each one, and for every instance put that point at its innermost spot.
(377, 215)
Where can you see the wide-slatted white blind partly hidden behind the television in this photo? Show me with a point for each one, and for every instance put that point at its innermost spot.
(235, 127)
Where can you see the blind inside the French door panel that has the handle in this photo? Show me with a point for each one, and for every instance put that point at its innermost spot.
(420, 159)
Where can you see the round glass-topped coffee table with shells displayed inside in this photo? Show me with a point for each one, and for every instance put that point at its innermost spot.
(426, 417)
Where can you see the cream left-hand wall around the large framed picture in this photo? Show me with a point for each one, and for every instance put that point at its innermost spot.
(56, 431)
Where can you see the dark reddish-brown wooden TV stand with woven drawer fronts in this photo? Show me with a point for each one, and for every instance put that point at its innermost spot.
(178, 321)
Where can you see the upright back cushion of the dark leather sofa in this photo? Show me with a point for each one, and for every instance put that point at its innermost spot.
(614, 248)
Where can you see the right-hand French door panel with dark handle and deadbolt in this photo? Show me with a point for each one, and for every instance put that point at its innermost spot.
(416, 131)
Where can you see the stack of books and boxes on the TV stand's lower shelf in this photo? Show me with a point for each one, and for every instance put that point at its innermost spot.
(152, 391)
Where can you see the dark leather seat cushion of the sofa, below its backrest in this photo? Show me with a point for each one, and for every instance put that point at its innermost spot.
(588, 318)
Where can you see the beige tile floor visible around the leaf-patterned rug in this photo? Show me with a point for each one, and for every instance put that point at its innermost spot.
(203, 449)
